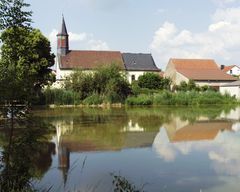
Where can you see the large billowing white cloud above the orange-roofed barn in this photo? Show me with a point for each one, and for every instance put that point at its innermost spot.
(221, 41)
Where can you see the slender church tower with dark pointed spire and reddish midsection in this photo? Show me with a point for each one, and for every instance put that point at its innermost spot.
(62, 40)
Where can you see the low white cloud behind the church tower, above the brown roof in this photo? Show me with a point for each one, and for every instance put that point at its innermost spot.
(79, 41)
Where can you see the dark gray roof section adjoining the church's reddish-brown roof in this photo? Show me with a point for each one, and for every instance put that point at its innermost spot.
(139, 62)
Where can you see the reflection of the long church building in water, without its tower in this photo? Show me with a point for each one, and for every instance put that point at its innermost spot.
(130, 136)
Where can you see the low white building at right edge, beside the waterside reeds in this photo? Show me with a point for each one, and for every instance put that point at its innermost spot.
(231, 88)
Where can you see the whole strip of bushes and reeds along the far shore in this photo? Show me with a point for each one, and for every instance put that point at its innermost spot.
(108, 85)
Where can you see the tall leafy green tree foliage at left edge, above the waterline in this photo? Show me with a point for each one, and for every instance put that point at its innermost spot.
(25, 54)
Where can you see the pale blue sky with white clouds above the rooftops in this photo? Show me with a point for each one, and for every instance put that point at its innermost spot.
(202, 29)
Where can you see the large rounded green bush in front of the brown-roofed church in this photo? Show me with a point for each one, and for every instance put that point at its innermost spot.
(108, 81)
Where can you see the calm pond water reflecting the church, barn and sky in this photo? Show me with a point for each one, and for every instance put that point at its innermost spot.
(154, 149)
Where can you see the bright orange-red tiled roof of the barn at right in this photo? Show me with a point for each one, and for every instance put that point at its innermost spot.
(200, 69)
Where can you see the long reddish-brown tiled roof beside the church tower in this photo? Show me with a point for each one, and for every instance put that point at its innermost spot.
(90, 59)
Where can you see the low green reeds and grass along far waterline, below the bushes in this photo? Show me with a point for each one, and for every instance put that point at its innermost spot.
(64, 97)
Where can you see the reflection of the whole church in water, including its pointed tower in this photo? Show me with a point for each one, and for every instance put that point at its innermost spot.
(87, 139)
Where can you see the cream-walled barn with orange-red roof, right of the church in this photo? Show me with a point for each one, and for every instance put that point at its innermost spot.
(202, 71)
